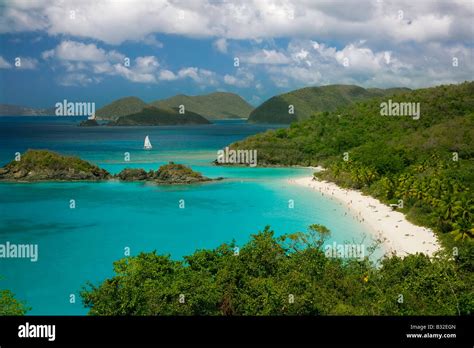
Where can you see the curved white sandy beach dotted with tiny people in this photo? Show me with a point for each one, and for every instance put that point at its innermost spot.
(397, 234)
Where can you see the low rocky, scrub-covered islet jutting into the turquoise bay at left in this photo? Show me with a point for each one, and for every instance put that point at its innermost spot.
(44, 165)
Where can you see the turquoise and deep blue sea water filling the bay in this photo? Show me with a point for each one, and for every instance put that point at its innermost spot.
(79, 245)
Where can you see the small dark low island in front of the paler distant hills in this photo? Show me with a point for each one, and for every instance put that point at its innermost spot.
(152, 116)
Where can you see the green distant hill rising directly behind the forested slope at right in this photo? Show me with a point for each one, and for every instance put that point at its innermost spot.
(306, 101)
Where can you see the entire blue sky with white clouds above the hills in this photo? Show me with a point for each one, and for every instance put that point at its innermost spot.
(77, 50)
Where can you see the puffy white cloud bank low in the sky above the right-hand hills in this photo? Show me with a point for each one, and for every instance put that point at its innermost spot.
(314, 63)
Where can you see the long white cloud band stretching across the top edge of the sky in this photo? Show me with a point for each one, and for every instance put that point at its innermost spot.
(377, 21)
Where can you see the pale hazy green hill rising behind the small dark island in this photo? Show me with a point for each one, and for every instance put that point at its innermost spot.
(214, 106)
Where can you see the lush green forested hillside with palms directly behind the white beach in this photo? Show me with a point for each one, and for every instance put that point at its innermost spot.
(427, 162)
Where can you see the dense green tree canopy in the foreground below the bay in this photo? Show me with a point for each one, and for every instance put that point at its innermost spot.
(288, 275)
